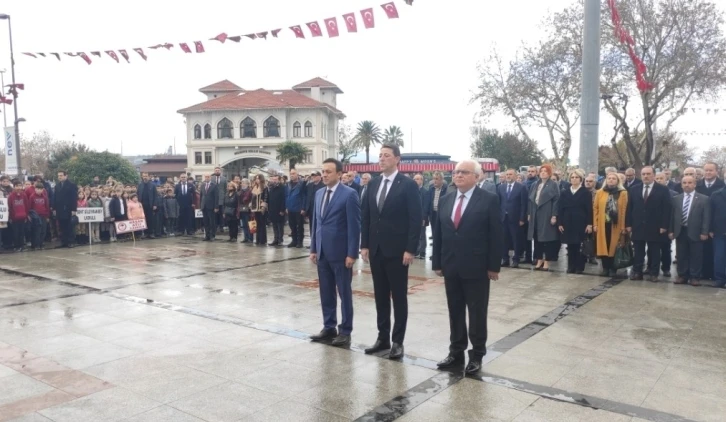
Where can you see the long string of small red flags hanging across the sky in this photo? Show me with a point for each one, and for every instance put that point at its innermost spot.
(367, 17)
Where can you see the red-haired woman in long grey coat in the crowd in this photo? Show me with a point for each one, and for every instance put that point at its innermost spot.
(543, 207)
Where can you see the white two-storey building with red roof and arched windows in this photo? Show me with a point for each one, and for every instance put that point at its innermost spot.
(238, 129)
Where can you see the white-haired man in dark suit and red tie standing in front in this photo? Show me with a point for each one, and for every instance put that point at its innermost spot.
(467, 252)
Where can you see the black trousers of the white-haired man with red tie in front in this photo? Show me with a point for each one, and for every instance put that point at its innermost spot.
(471, 295)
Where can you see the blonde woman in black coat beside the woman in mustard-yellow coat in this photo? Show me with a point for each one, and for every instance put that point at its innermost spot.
(575, 218)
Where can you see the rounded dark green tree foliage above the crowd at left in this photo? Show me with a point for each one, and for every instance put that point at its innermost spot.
(82, 167)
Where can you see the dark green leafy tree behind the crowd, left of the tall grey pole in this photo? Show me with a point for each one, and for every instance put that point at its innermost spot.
(511, 150)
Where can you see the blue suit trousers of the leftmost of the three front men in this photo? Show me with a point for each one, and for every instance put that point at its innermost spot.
(333, 275)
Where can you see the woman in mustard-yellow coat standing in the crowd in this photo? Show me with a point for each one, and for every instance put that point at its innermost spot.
(609, 210)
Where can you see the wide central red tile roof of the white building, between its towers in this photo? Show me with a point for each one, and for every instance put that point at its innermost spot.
(259, 99)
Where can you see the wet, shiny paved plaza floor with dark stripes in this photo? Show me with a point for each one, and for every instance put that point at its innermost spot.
(183, 330)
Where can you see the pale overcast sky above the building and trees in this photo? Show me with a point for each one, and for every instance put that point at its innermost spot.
(417, 72)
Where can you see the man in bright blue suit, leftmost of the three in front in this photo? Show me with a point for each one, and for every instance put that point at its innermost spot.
(334, 249)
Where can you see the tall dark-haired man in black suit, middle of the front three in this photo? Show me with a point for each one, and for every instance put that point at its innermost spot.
(392, 218)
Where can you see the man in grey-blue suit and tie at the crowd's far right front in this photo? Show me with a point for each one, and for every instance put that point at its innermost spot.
(690, 221)
